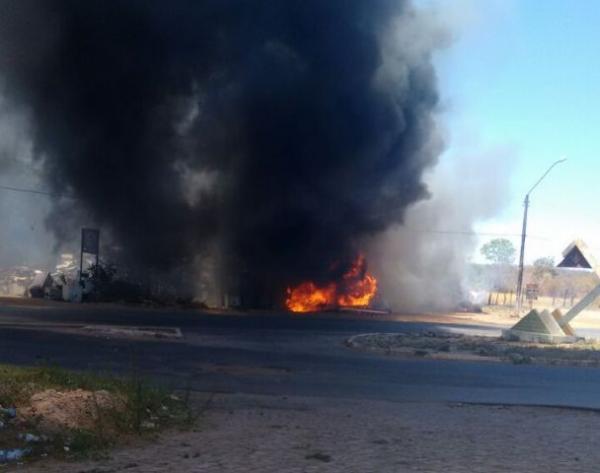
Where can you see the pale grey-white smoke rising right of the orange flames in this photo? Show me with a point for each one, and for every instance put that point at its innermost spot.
(421, 265)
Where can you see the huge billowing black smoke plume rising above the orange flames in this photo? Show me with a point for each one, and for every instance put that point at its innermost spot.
(284, 130)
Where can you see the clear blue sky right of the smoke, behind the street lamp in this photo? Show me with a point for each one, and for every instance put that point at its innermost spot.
(523, 75)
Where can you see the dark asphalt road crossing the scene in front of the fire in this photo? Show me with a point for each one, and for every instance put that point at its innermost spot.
(279, 354)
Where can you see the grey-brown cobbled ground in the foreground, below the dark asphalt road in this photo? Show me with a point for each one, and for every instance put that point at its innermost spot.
(239, 433)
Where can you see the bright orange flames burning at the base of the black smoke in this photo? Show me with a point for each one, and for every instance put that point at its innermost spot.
(356, 289)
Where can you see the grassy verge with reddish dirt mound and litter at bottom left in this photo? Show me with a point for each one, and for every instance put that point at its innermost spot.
(51, 412)
